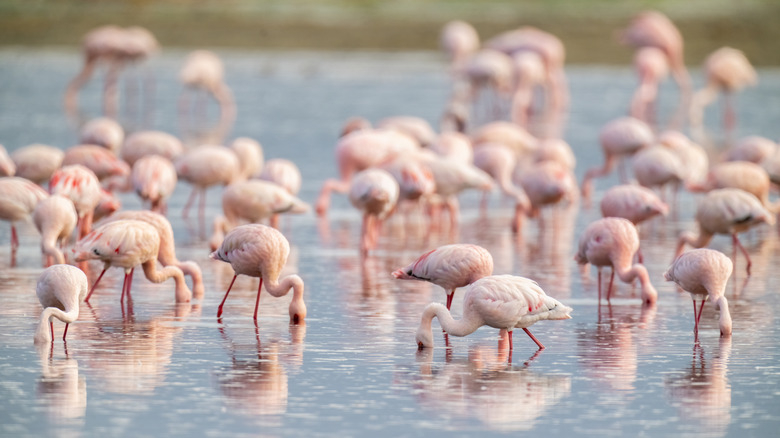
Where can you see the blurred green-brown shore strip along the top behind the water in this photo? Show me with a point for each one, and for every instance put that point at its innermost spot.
(586, 26)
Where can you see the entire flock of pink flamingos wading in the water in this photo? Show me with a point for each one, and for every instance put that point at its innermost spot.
(402, 167)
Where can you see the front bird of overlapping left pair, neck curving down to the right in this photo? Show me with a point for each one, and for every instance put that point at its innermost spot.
(126, 244)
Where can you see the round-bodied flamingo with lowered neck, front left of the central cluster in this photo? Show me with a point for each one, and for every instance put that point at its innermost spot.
(375, 193)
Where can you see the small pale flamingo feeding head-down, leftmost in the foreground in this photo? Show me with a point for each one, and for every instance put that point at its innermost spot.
(60, 289)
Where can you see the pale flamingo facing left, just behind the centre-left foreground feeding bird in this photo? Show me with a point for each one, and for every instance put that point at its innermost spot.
(253, 201)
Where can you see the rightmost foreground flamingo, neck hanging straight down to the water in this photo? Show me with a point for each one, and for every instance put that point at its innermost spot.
(704, 273)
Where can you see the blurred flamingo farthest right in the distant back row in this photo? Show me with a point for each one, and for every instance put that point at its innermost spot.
(728, 70)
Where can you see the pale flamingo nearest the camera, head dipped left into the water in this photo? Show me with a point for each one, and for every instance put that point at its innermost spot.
(504, 302)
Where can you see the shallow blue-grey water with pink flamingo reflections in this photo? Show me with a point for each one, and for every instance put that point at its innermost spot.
(151, 368)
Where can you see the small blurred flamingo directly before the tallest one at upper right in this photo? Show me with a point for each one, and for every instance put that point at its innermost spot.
(652, 67)
